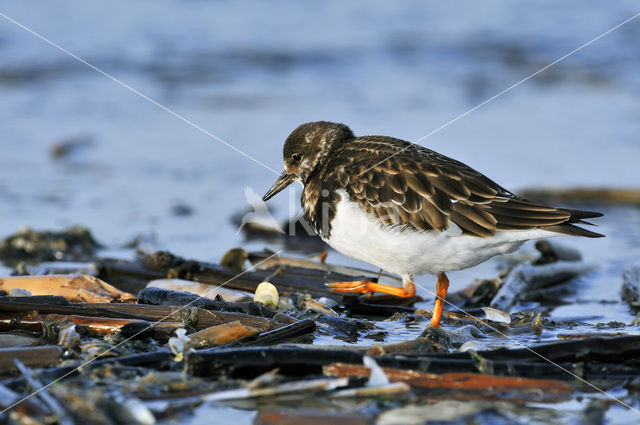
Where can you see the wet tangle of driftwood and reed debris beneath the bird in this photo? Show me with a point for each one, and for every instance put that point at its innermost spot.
(276, 336)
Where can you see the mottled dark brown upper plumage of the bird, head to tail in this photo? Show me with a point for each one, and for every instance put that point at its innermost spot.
(408, 185)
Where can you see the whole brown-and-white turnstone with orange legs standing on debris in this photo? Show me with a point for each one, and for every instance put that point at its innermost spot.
(407, 209)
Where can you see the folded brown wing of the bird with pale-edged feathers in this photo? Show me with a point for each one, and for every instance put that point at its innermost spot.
(425, 190)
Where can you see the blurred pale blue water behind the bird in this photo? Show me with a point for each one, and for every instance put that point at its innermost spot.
(250, 72)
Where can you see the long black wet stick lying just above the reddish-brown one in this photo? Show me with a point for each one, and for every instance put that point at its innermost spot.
(592, 358)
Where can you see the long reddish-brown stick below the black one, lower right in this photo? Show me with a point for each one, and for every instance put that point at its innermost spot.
(509, 387)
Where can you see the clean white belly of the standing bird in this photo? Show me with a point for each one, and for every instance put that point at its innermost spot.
(408, 252)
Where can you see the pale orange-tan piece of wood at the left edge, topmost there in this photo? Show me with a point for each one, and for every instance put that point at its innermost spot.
(79, 288)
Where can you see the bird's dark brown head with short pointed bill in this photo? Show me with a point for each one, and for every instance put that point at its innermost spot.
(305, 149)
